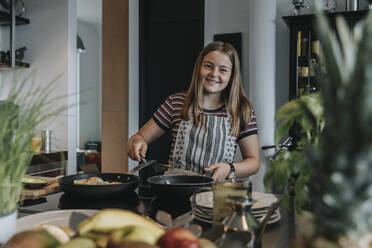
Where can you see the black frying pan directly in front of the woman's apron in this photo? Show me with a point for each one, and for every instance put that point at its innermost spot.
(178, 186)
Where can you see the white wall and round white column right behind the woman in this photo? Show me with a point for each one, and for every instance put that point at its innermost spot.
(257, 69)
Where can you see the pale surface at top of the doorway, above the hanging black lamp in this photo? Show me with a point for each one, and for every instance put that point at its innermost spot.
(89, 11)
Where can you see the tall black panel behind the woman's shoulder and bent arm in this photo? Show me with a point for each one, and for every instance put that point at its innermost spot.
(171, 37)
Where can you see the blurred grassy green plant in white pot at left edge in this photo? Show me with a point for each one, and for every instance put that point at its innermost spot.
(24, 107)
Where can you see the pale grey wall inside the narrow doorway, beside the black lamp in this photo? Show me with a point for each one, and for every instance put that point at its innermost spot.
(90, 112)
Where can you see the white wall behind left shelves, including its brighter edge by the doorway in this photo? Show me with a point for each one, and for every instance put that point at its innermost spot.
(50, 39)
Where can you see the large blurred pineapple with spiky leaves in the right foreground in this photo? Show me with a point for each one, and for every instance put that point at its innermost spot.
(341, 182)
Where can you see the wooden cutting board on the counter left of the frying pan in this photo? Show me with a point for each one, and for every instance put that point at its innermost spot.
(51, 187)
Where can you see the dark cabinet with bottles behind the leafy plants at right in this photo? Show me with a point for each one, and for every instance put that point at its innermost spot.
(305, 50)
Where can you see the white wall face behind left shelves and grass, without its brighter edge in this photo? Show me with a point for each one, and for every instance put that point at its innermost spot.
(46, 39)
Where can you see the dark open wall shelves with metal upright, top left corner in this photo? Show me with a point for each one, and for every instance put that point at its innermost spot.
(9, 19)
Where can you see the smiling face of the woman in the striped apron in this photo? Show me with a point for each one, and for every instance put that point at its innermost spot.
(215, 72)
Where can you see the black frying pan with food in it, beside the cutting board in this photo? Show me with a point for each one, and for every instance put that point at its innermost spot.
(129, 183)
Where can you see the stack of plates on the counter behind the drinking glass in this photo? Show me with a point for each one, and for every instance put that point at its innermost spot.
(203, 207)
